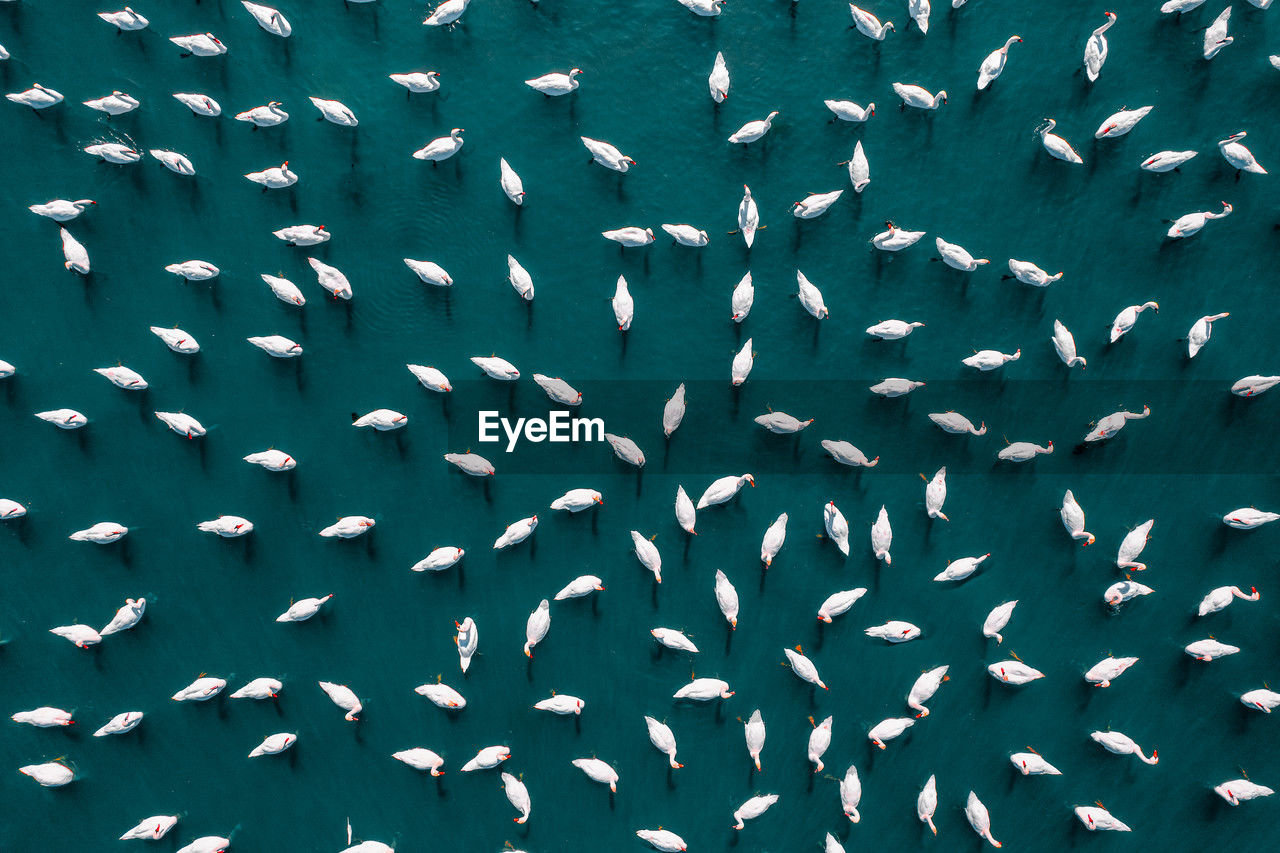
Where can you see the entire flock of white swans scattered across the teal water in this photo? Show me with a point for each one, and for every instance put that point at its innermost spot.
(849, 790)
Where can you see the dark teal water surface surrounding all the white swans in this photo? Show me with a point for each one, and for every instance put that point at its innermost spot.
(973, 172)
